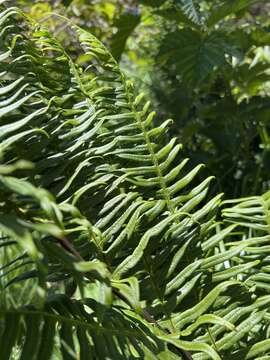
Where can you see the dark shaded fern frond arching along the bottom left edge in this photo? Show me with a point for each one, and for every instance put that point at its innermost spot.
(82, 328)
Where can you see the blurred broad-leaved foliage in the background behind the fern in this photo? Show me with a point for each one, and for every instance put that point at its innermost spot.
(203, 63)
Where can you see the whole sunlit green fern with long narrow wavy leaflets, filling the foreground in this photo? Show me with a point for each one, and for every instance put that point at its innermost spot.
(110, 247)
